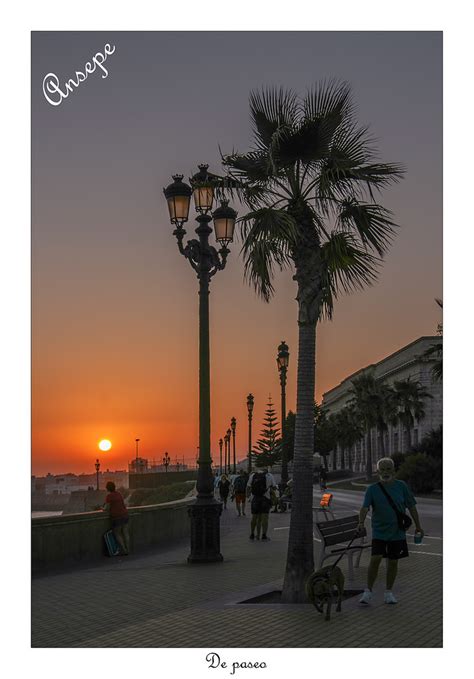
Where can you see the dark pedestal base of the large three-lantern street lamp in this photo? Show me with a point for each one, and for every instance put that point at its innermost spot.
(205, 533)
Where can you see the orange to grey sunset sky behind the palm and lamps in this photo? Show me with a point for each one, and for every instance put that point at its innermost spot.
(115, 306)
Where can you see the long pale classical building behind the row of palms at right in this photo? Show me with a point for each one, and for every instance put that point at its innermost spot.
(408, 362)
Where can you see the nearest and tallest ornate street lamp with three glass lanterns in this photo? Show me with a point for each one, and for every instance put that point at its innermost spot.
(206, 261)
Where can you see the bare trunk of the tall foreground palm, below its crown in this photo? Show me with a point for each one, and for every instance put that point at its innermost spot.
(300, 560)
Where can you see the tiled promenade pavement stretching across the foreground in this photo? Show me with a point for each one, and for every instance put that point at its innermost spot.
(158, 600)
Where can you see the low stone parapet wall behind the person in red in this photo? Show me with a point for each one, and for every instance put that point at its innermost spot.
(67, 541)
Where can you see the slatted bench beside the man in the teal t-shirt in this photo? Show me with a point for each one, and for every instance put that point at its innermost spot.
(341, 532)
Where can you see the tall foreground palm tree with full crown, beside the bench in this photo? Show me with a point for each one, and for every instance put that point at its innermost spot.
(308, 183)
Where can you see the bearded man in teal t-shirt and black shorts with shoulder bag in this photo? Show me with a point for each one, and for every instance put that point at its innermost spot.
(388, 540)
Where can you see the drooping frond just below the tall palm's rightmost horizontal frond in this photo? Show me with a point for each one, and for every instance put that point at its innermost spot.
(373, 223)
